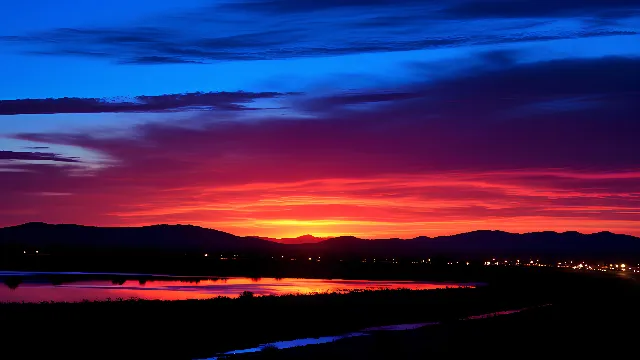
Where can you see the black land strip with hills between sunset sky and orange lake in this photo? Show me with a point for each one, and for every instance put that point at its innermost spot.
(180, 250)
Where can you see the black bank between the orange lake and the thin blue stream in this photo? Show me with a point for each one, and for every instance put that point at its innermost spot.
(202, 328)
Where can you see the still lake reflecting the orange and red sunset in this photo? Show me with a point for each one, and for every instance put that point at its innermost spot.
(76, 287)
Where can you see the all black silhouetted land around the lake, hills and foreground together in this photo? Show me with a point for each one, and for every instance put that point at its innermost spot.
(590, 310)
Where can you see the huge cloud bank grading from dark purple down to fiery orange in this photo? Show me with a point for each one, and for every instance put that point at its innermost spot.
(426, 157)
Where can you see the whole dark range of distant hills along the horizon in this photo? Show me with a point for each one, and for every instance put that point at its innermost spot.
(187, 238)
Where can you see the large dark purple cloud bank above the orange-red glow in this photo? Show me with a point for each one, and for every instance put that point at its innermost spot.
(464, 122)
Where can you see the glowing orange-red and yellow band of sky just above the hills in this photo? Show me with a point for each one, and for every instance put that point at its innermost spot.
(390, 206)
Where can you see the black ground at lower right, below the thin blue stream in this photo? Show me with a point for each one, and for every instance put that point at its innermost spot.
(601, 322)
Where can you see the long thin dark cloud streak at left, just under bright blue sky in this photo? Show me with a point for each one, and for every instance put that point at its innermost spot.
(157, 103)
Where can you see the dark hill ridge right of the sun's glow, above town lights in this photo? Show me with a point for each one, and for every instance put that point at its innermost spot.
(487, 244)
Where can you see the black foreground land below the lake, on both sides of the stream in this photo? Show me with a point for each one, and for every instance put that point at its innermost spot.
(200, 328)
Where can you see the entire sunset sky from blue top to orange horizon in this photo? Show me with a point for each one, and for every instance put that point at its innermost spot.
(280, 118)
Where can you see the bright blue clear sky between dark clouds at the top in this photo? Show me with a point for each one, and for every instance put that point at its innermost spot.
(31, 76)
